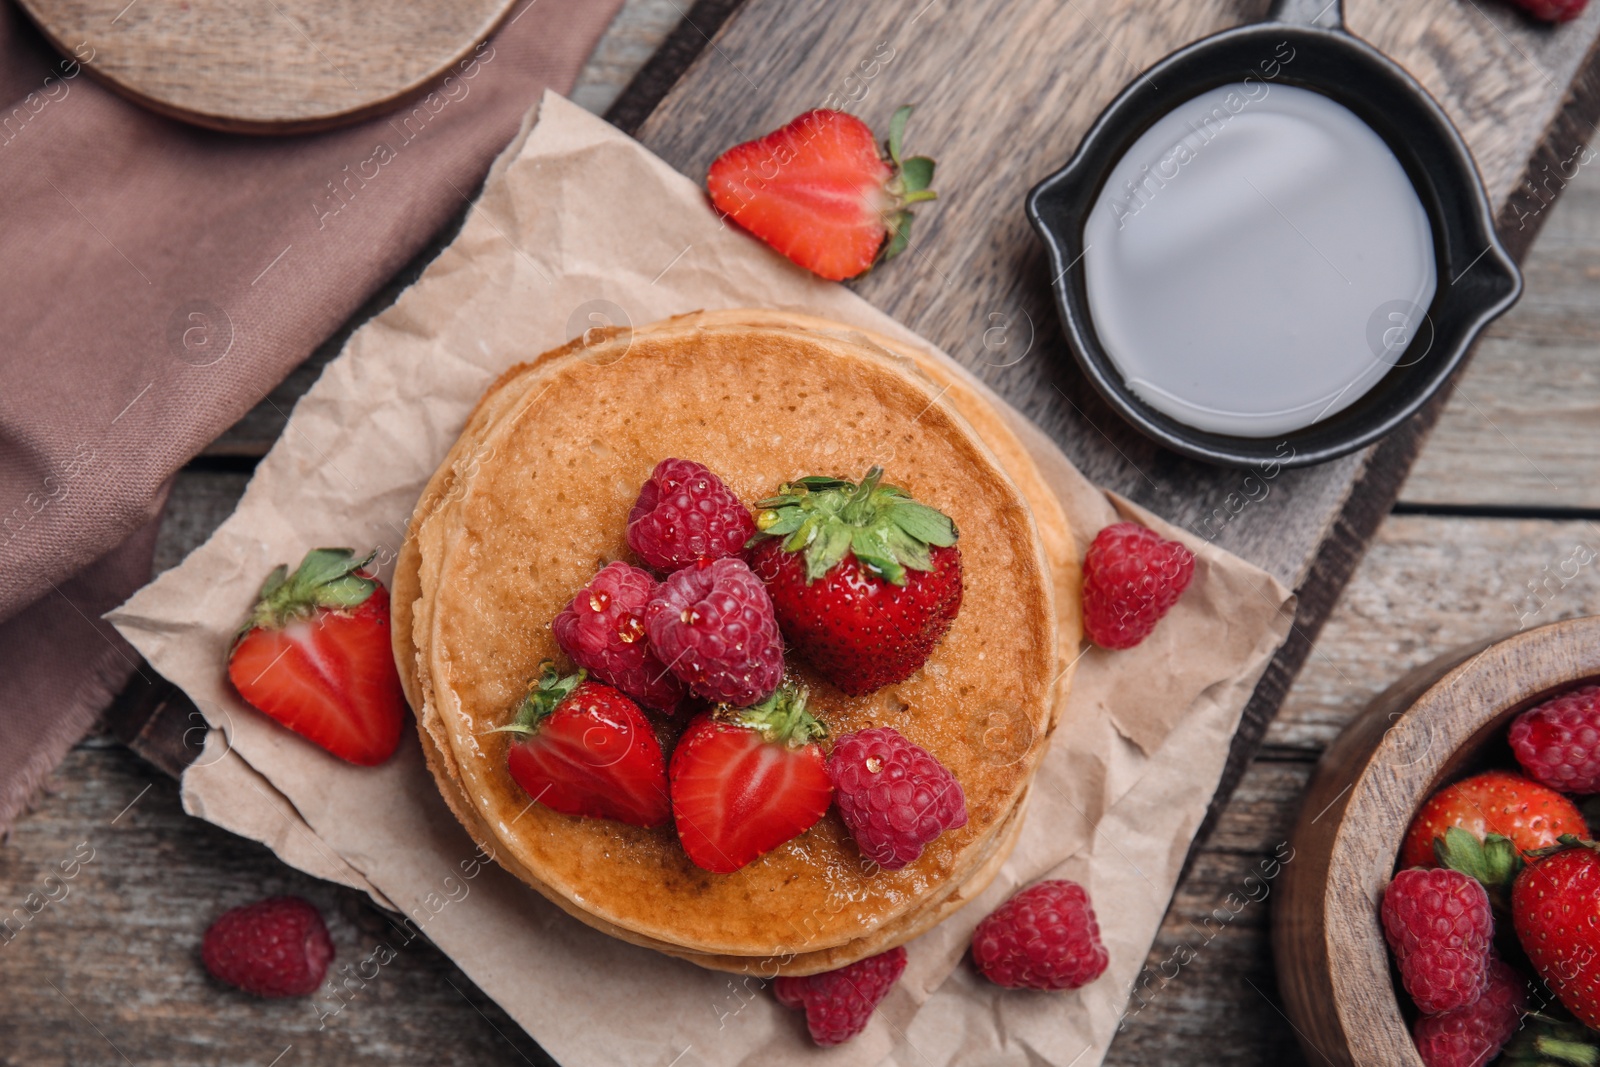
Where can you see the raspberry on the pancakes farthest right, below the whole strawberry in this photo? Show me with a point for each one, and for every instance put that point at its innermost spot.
(894, 796)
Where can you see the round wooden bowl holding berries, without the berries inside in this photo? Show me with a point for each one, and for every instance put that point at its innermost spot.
(1434, 725)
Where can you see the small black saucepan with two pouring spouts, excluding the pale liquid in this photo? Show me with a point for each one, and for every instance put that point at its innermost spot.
(1478, 279)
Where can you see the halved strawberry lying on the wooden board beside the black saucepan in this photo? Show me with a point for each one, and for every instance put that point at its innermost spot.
(820, 193)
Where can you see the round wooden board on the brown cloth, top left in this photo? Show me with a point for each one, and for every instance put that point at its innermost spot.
(266, 66)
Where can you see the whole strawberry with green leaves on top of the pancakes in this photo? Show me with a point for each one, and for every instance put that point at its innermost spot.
(863, 578)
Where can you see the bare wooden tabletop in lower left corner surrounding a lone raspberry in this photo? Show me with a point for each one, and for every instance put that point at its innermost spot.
(110, 972)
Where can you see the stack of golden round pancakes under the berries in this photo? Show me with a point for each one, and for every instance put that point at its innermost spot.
(534, 500)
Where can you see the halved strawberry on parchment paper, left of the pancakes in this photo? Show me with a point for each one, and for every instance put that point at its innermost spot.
(316, 657)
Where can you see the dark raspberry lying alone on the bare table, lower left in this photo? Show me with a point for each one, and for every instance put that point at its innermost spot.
(274, 948)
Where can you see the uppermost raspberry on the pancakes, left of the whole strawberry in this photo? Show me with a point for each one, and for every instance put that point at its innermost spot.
(687, 514)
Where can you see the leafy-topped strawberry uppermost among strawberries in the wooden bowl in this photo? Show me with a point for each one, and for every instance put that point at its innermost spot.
(1482, 825)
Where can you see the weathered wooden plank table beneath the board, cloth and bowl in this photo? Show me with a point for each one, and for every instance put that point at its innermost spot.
(1502, 497)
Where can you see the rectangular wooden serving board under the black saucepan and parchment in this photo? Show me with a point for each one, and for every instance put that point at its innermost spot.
(1004, 94)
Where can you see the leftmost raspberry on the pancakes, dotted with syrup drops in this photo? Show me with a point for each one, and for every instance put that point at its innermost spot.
(604, 631)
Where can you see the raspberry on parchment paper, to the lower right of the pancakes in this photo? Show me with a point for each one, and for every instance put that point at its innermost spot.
(1042, 938)
